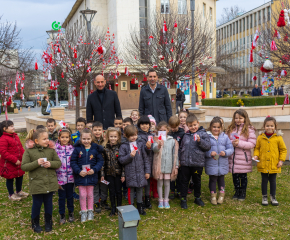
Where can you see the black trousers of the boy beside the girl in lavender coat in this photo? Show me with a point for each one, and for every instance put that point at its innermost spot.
(186, 173)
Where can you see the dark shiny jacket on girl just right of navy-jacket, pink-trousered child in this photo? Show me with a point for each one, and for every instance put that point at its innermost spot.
(112, 166)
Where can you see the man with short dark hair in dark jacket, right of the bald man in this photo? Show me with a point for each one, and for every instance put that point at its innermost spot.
(154, 99)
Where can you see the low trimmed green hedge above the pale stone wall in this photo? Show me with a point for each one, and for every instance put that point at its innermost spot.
(248, 101)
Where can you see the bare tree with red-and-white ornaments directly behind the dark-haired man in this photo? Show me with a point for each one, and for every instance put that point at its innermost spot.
(169, 45)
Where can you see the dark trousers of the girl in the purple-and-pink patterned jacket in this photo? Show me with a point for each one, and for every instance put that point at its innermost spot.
(66, 193)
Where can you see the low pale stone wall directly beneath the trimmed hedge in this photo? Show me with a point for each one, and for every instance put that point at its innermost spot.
(260, 111)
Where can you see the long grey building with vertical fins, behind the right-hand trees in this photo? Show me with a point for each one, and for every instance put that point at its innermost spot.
(237, 35)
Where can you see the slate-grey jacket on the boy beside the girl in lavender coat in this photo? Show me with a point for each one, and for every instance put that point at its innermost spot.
(192, 153)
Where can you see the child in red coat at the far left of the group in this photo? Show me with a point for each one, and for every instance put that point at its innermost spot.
(11, 152)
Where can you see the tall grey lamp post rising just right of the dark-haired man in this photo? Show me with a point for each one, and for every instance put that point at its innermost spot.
(193, 97)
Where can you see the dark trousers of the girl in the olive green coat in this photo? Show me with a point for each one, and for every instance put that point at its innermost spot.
(37, 200)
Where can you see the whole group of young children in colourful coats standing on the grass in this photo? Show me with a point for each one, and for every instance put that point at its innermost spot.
(135, 155)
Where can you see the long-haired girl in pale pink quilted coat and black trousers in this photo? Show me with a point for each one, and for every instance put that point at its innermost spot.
(242, 135)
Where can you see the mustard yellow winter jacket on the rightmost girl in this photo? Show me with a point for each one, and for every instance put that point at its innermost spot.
(270, 151)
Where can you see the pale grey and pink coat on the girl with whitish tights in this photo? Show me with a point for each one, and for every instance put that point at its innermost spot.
(165, 158)
